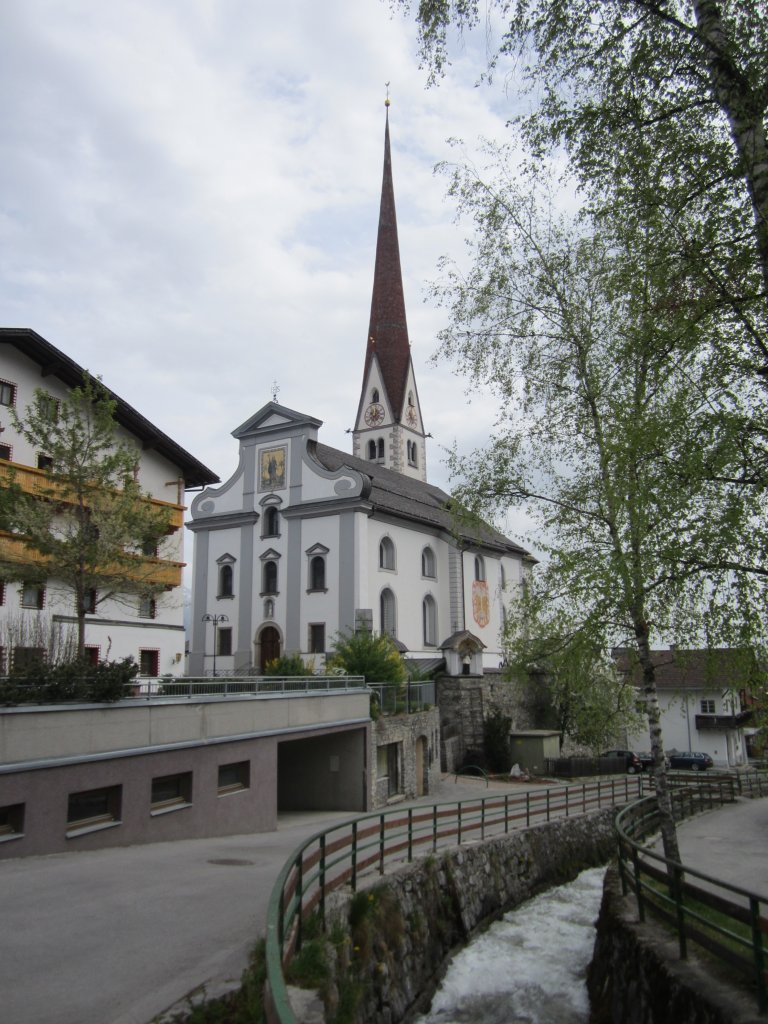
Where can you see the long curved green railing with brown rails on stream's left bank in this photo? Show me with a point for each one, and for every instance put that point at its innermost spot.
(342, 856)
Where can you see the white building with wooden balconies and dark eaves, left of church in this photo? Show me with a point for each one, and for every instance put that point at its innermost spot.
(149, 629)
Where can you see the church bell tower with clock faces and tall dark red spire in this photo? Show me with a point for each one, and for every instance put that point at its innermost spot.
(389, 430)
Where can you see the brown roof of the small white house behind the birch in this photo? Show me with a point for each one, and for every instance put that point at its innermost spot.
(721, 668)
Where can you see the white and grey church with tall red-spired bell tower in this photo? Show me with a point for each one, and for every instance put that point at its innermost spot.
(305, 541)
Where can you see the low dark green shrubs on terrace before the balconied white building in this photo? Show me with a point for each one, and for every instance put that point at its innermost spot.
(78, 680)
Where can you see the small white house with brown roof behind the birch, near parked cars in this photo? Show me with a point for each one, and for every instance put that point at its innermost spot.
(704, 698)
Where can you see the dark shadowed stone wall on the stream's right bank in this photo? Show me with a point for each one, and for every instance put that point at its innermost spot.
(636, 976)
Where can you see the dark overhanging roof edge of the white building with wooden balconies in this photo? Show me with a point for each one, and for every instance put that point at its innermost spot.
(54, 363)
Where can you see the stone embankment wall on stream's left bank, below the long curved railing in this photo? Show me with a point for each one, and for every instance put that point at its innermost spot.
(388, 946)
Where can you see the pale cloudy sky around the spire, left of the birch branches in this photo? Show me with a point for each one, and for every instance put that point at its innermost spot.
(189, 199)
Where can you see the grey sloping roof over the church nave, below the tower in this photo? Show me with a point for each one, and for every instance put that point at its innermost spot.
(408, 498)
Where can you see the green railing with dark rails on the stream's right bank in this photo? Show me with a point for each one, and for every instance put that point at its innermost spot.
(729, 922)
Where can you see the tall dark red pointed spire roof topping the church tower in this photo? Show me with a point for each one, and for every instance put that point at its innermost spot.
(388, 333)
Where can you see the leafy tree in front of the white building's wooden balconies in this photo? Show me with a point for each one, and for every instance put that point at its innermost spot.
(90, 521)
